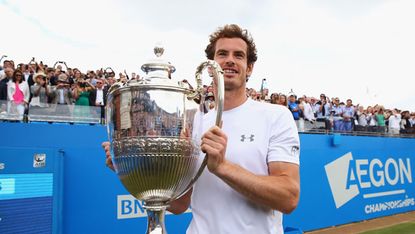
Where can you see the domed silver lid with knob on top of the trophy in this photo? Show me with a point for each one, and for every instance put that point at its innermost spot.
(158, 67)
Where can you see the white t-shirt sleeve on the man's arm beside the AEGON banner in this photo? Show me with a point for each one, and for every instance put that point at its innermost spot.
(284, 145)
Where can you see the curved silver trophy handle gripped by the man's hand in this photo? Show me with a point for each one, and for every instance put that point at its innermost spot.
(219, 102)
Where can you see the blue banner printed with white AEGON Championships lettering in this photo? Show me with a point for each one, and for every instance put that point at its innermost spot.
(357, 178)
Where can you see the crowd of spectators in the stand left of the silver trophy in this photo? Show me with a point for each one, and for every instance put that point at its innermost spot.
(35, 87)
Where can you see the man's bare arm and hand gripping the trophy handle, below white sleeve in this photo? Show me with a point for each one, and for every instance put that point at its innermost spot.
(279, 190)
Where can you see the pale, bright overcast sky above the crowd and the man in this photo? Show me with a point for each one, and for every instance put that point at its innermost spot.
(358, 49)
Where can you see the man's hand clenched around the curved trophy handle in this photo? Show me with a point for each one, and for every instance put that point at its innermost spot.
(214, 143)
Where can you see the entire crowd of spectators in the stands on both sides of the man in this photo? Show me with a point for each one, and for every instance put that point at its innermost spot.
(33, 86)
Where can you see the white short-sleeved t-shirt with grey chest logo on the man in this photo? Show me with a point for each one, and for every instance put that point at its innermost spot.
(258, 133)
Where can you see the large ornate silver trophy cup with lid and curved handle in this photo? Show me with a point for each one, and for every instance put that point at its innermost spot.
(155, 127)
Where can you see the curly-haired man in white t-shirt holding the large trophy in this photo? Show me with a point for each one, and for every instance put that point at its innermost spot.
(253, 162)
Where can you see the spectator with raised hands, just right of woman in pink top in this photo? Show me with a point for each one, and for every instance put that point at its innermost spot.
(41, 92)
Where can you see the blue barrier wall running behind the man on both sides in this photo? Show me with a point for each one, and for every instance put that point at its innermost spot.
(343, 179)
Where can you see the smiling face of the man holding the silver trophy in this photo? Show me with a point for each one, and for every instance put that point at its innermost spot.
(231, 54)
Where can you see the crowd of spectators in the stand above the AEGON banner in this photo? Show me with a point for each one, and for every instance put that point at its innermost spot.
(333, 114)
